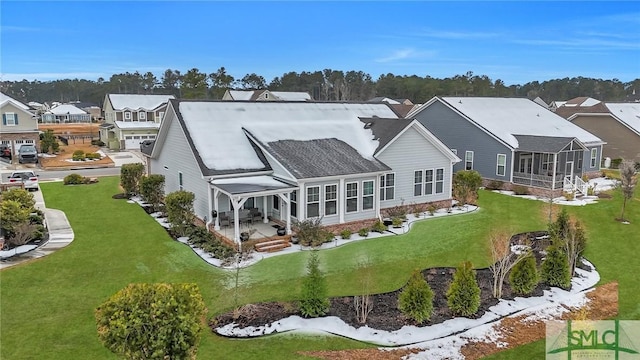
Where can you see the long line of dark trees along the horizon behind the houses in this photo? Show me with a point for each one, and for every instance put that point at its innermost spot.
(325, 85)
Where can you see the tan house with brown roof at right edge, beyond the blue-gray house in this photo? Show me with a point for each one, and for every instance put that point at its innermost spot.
(618, 124)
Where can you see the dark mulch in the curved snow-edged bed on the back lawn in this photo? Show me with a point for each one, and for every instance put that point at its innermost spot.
(385, 314)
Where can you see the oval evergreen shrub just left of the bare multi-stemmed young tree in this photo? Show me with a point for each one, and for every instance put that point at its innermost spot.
(463, 295)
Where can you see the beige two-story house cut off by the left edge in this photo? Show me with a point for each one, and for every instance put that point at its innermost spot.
(19, 125)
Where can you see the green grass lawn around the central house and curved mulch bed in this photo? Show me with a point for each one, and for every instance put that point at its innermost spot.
(47, 306)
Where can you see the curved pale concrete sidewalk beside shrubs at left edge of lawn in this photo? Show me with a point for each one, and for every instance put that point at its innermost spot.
(60, 235)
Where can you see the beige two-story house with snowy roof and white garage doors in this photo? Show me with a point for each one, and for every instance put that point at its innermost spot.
(130, 119)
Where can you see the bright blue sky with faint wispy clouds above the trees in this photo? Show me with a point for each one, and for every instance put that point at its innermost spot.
(515, 41)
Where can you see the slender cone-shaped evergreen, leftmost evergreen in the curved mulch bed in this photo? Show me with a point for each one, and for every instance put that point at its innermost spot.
(315, 301)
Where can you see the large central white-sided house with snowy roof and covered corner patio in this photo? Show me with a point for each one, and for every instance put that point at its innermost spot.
(343, 162)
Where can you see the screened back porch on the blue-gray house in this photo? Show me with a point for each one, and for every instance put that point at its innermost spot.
(549, 162)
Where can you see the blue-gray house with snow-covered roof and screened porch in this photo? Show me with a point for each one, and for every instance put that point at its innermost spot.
(513, 140)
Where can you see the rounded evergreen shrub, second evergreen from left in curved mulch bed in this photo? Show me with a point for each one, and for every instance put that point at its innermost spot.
(416, 299)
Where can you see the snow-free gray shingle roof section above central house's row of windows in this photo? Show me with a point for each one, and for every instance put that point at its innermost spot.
(322, 157)
